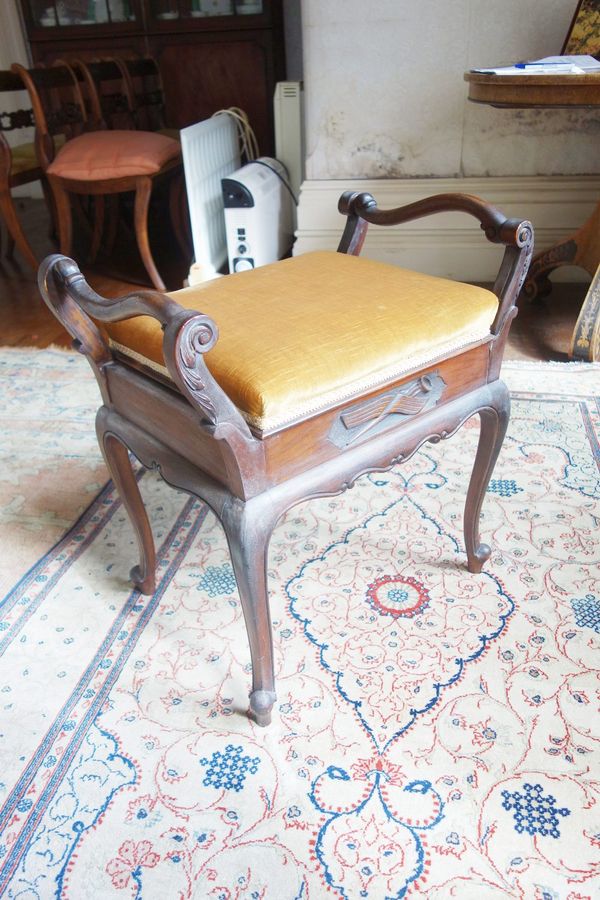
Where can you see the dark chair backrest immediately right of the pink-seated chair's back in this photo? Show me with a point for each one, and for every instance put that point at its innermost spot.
(108, 93)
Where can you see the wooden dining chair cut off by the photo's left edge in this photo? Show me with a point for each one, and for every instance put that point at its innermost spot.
(18, 165)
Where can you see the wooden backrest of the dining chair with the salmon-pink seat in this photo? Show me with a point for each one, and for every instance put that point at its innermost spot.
(58, 106)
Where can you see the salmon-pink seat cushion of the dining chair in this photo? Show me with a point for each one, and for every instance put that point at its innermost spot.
(100, 155)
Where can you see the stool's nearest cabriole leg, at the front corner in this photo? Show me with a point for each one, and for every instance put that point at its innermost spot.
(248, 531)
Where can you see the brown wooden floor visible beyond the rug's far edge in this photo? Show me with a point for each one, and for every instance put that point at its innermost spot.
(540, 331)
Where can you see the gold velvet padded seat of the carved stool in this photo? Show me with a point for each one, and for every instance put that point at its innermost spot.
(302, 334)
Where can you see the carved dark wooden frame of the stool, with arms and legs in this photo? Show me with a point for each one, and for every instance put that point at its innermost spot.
(199, 441)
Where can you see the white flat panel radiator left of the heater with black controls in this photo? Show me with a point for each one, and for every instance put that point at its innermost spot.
(210, 152)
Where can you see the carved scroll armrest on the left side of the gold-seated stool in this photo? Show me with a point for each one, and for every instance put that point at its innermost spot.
(187, 337)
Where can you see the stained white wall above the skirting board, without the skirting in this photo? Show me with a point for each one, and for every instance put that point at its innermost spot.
(385, 95)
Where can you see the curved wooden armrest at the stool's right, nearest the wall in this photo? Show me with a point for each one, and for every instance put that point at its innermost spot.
(516, 234)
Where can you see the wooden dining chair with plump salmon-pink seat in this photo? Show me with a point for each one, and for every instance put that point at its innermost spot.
(98, 162)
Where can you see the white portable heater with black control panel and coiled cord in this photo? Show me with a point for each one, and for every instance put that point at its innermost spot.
(259, 214)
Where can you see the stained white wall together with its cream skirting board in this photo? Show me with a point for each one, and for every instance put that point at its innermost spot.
(385, 98)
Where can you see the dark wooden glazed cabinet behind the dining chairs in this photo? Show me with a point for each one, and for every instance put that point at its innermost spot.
(211, 53)
